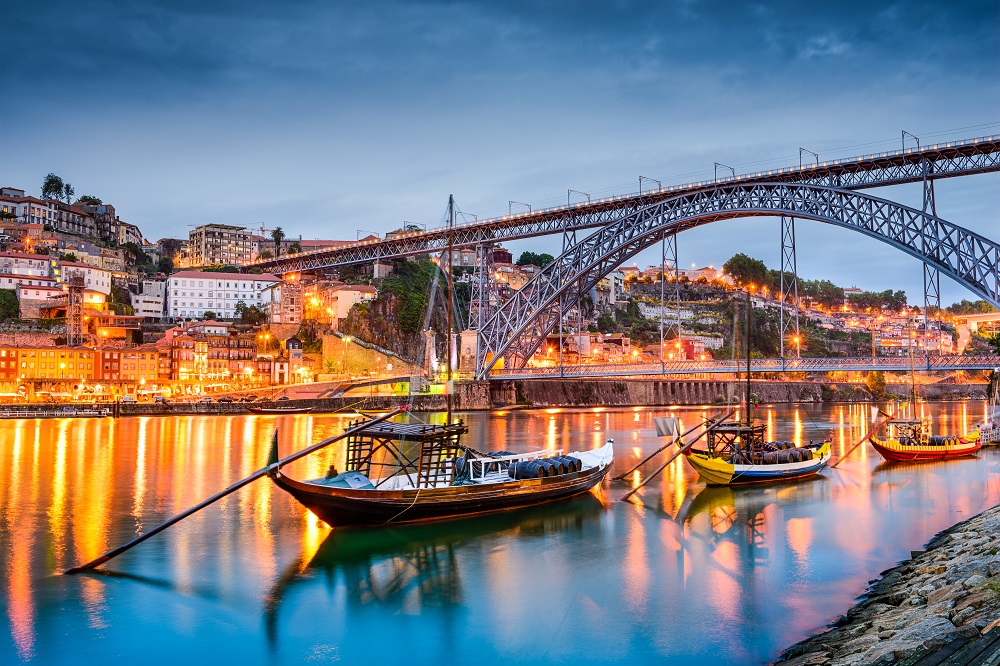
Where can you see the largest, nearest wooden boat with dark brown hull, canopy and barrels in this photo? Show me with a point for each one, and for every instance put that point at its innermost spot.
(407, 472)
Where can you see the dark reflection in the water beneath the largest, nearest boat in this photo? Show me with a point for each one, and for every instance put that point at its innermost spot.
(407, 568)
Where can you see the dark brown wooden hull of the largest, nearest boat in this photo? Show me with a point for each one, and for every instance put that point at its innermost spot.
(341, 507)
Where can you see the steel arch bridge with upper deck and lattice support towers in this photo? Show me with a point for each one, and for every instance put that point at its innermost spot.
(622, 226)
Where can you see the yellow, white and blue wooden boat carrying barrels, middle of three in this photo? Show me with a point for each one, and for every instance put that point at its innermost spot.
(738, 454)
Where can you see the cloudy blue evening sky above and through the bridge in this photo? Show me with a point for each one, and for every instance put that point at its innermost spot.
(333, 119)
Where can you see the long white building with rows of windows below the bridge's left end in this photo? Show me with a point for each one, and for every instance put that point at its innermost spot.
(190, 294)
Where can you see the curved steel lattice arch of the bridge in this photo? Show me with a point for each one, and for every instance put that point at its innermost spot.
(516, 329)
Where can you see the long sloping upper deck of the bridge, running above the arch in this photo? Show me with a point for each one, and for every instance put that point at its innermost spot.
(946, 160)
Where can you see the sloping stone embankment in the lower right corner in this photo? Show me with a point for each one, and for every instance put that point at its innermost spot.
(948, 593)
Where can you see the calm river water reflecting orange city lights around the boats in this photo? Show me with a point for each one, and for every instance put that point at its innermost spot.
(687, 573)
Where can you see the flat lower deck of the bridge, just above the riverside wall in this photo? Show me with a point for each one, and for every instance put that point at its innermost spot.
(729, 366)
